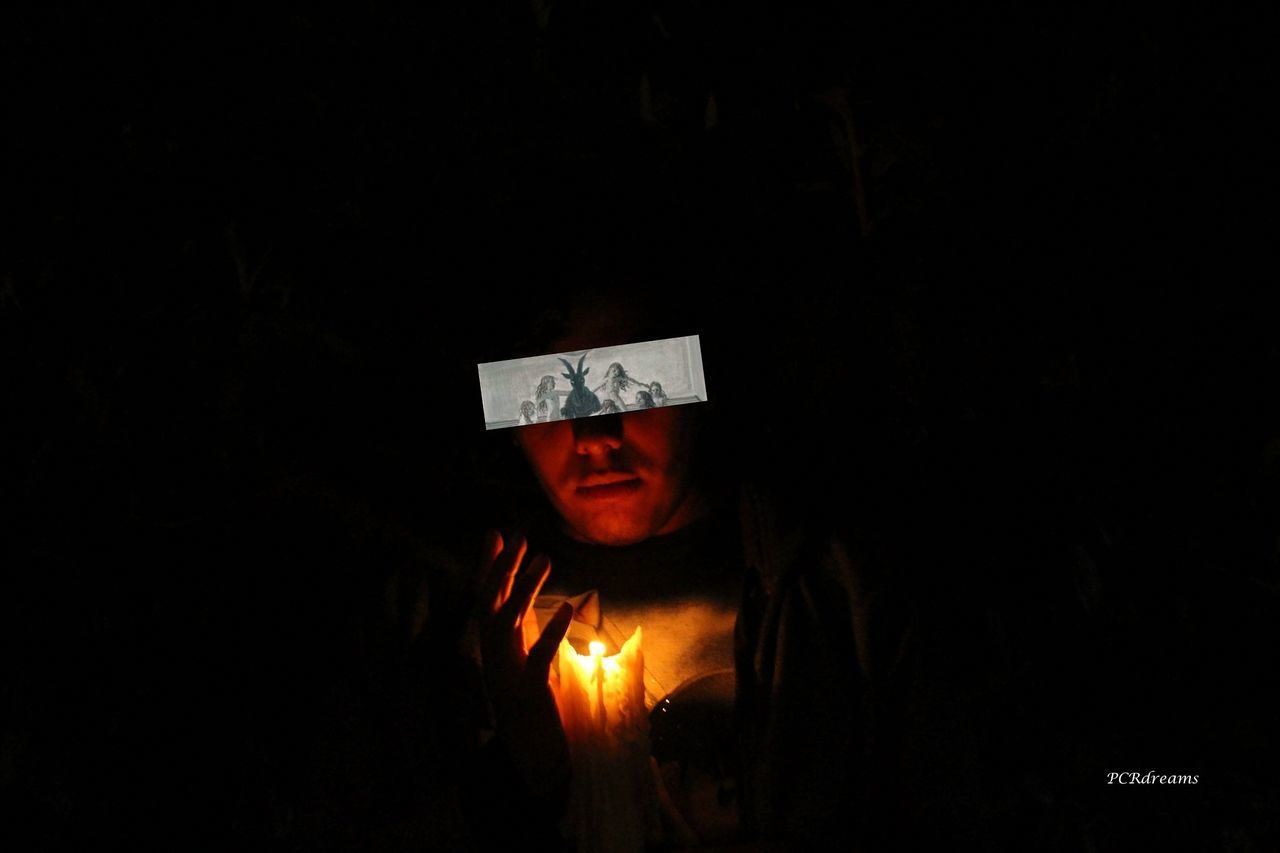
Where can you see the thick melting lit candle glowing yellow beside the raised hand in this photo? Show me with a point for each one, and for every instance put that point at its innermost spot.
(614, 805)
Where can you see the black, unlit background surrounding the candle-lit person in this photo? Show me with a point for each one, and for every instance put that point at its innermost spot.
(252, 259)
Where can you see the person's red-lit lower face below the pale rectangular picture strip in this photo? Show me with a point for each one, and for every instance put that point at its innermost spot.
(618, 480)
